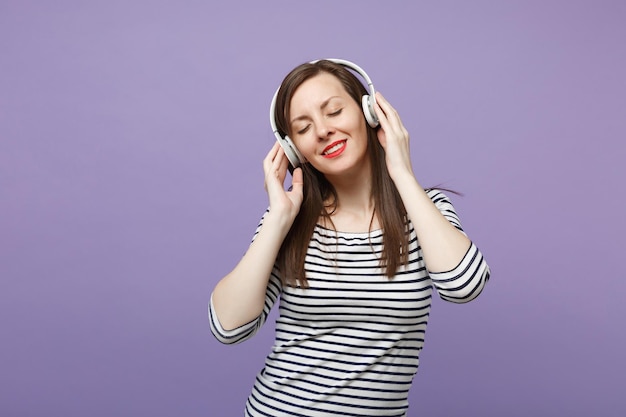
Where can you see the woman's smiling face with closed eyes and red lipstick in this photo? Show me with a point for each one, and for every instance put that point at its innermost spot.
(328, 127)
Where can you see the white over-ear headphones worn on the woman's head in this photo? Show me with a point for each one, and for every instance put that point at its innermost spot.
(367, 102)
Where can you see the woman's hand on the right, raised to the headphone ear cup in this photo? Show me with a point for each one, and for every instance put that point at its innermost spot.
(393, 137)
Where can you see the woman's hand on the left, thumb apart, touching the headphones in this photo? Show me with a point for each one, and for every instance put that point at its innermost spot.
(285, 204)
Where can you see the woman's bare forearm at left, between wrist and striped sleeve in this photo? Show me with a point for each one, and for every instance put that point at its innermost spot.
(239, 297)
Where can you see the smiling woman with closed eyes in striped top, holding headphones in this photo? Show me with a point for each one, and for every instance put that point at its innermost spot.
(353, 251)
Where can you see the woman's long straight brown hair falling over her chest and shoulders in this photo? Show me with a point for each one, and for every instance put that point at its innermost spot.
(317, 189)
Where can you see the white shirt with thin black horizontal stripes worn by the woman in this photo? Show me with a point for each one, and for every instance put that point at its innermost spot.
(349, 345)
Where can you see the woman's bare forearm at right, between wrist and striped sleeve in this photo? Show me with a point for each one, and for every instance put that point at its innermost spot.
(443, 245)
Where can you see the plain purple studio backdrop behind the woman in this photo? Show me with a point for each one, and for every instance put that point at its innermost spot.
(131, 141)
